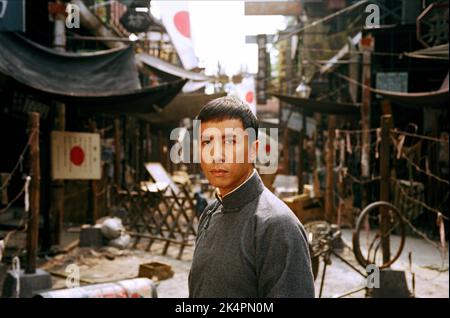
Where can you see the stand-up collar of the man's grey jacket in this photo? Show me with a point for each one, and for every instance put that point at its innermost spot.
(243, 194)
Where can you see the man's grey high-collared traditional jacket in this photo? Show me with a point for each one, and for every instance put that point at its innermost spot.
(250, 244)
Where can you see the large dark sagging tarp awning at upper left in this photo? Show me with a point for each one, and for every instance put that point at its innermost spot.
(100, 81)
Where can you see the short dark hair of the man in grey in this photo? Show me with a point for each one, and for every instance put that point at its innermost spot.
(229, 107)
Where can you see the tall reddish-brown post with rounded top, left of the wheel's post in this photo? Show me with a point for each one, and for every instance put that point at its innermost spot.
(367, 45)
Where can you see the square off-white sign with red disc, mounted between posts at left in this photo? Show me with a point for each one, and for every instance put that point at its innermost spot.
(75, 156)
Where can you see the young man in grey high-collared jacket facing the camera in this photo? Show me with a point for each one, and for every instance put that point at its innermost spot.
(249, 243)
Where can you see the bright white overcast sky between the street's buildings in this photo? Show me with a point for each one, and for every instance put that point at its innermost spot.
(218, 30)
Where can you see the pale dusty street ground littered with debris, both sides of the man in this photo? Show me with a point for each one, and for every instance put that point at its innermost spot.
(110, 264)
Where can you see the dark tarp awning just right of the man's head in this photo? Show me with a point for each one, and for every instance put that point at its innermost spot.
(316, 106)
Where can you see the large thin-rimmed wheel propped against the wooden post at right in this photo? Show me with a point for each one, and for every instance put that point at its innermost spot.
(367, 238)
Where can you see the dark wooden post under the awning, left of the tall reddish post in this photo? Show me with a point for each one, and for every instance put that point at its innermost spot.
(329, 191)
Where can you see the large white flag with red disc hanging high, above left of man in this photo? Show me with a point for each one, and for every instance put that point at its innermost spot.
(176, 19)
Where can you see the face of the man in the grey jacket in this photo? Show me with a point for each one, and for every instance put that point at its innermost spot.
(225, 156)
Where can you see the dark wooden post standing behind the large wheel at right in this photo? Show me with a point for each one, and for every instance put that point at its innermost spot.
(385, 183)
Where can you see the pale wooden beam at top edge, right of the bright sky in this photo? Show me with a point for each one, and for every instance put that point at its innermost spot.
(272, 8)
